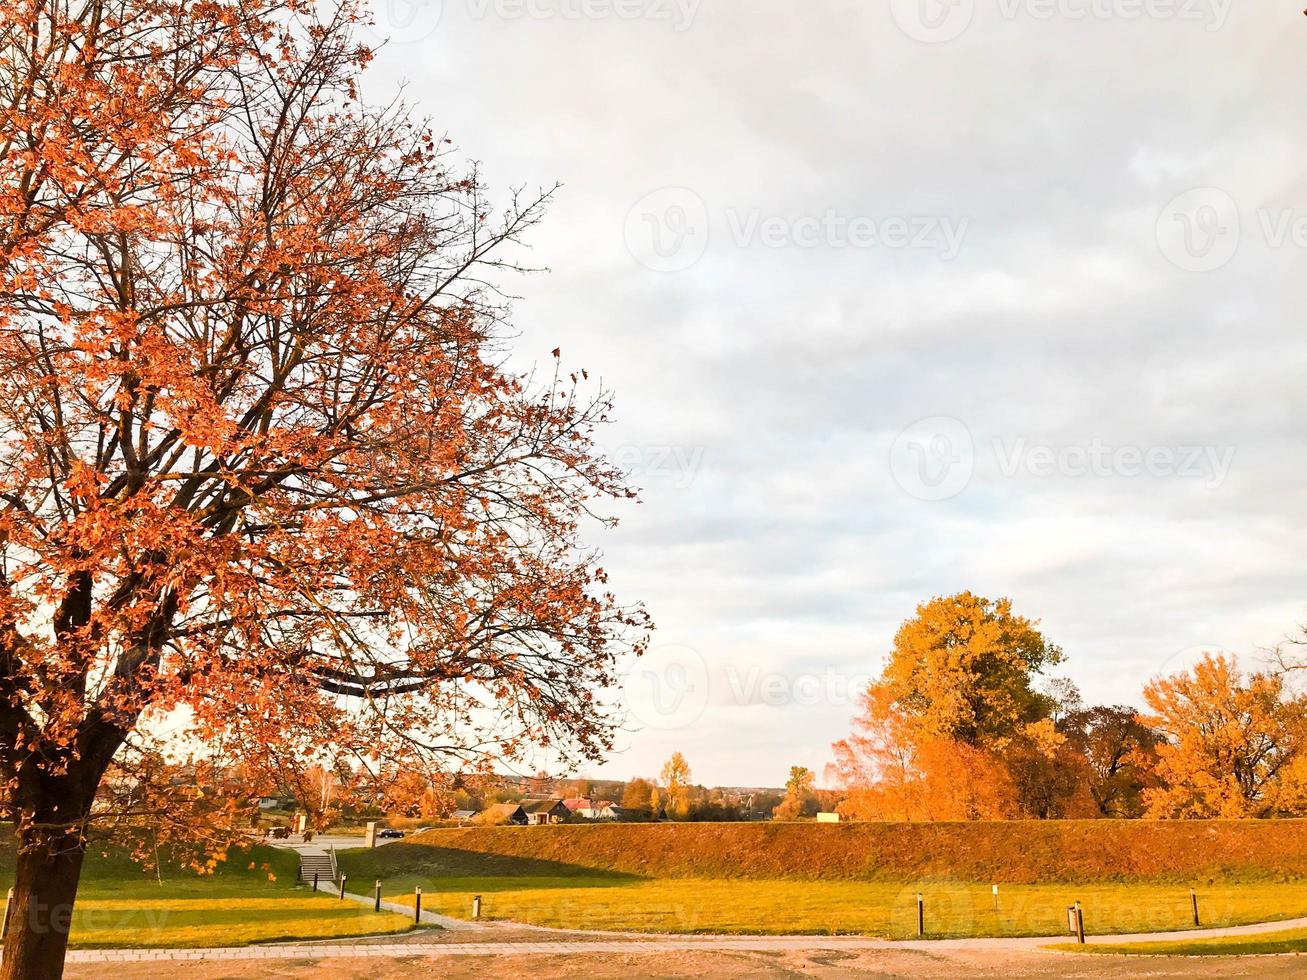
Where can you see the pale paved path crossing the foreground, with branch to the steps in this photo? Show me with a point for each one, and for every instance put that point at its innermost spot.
(625, 944)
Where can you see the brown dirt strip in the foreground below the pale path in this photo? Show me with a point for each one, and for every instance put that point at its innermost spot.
(765, 966)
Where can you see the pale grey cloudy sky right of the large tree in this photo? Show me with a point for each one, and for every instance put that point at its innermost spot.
(901, 299)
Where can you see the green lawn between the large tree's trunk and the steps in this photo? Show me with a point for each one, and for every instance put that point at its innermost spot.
(121, 906)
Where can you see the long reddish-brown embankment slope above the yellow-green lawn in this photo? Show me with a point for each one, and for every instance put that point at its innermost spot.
(1010, 853)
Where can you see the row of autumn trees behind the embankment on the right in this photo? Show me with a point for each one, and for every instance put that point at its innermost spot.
(965, 725)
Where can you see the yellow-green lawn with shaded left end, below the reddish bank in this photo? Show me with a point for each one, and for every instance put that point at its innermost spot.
(551, 894)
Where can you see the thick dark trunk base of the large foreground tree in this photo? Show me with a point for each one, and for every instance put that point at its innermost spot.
(44, 893)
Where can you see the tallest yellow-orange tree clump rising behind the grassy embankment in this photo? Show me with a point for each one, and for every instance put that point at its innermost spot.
(955, 728)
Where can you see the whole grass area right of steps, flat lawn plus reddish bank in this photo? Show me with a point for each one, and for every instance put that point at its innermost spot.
(799, 879)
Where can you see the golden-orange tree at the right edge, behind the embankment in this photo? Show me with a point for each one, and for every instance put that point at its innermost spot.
(1234, 744)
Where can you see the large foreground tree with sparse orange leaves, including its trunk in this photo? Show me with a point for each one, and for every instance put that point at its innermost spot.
(263, 472)
